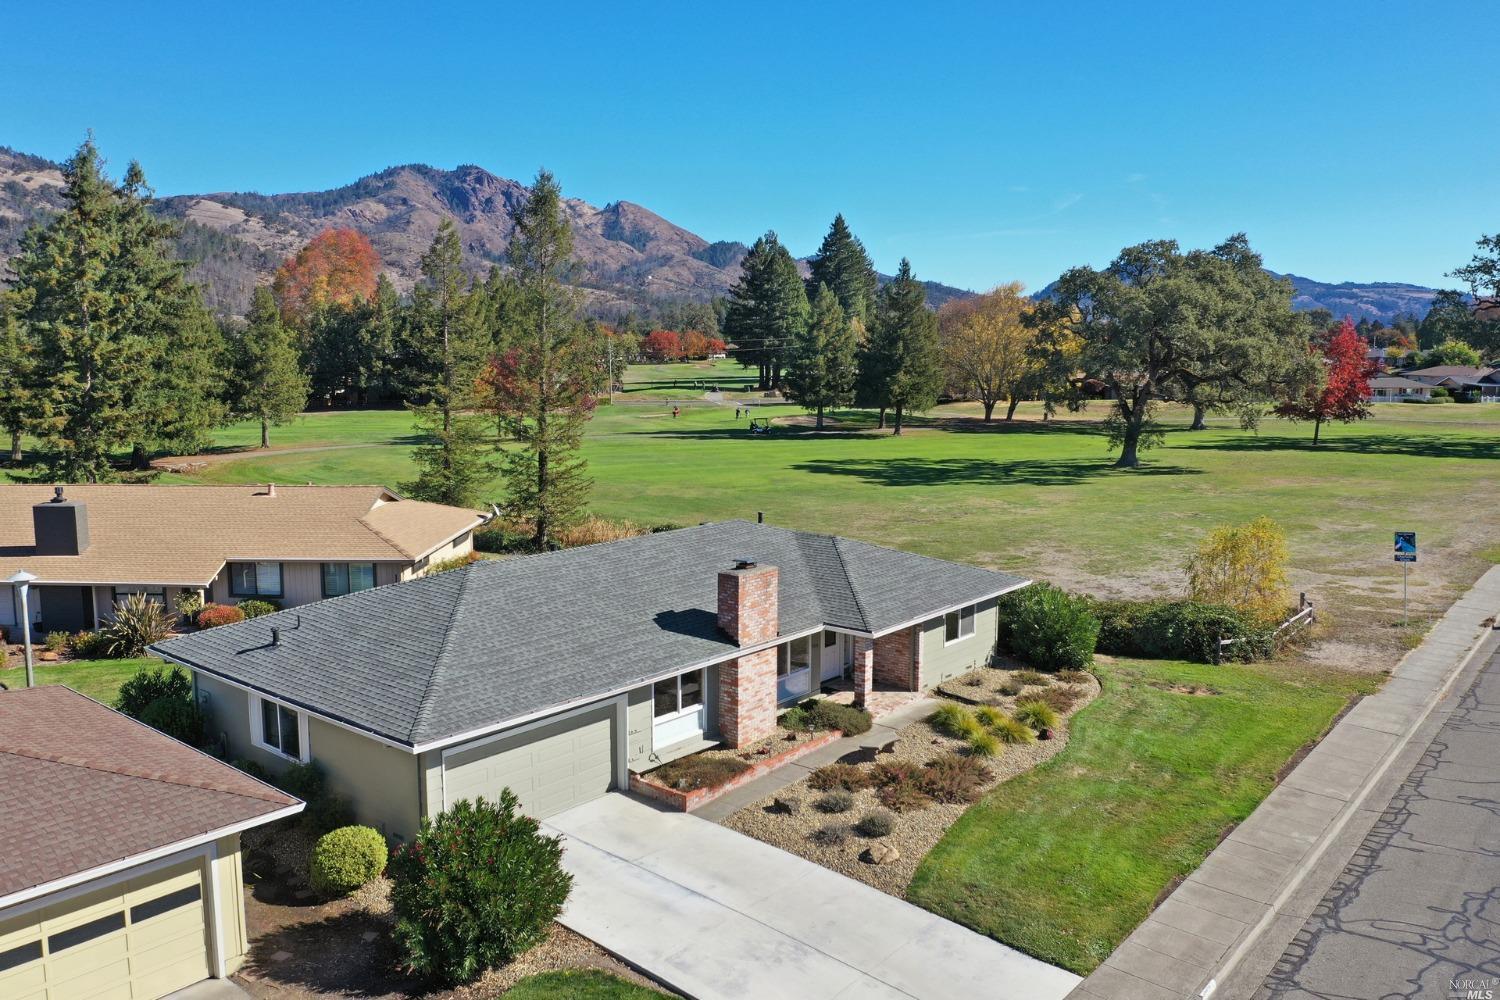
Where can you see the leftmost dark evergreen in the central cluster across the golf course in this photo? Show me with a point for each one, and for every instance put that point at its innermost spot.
(767, 308)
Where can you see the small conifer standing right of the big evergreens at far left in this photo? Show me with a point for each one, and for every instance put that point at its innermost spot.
(268, 379)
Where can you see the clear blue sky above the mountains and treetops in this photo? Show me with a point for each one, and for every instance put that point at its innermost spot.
(988, 143)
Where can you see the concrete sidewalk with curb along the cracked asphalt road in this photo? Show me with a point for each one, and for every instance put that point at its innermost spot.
(1204, 930)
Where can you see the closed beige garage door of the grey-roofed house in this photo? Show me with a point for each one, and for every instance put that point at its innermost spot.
(550, 768)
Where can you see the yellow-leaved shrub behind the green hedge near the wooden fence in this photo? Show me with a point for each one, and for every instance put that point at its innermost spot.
(1243, 567)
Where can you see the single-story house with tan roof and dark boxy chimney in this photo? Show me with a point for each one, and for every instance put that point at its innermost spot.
(92, 545)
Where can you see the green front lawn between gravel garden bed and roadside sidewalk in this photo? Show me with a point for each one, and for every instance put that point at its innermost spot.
(1064, 861)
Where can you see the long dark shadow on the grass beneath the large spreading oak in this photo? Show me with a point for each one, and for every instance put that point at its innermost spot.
(980, 472)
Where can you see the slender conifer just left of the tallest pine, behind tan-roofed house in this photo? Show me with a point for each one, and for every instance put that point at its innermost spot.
(446, 340)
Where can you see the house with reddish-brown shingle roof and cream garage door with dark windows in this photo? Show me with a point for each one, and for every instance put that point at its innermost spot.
(119, 854)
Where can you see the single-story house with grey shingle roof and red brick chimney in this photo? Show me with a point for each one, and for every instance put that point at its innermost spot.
(556, 675)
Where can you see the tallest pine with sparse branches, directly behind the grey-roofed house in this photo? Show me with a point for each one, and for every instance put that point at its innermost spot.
(544, 388)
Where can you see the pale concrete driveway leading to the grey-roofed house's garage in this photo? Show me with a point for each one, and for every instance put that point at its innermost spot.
(718, 915)
